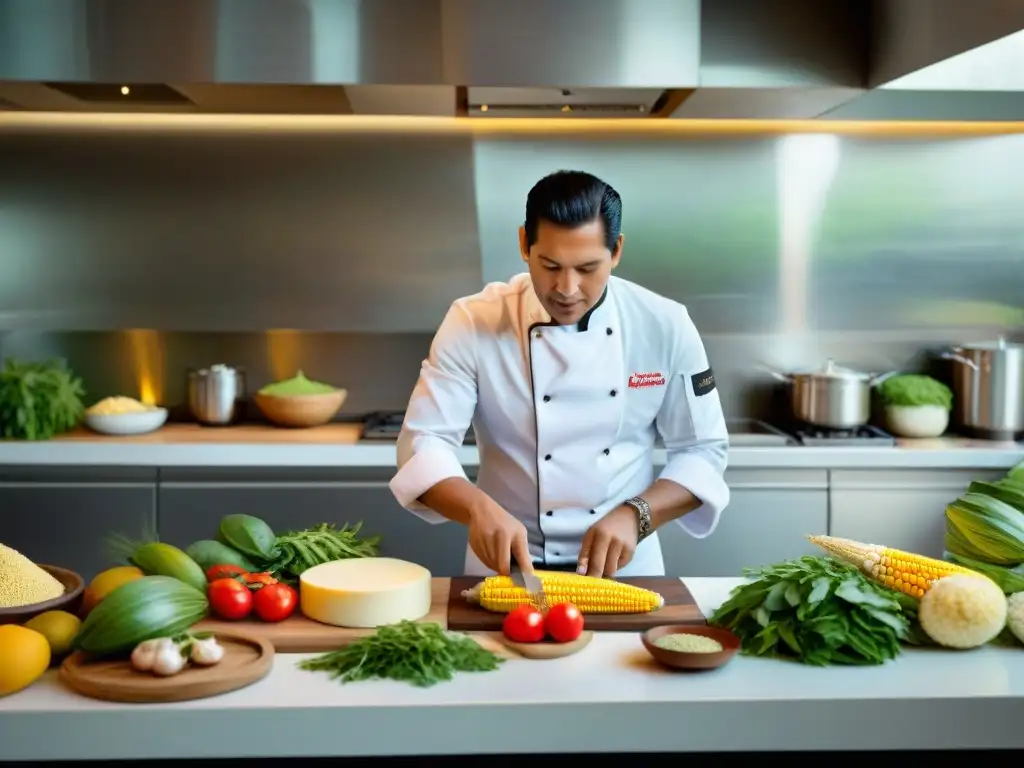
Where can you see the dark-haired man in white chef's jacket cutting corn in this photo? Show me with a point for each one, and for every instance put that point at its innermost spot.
(568, 376)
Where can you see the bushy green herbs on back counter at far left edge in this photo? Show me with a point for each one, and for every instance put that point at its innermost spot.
(38, 401)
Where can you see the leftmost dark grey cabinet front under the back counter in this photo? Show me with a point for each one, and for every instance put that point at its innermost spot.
(65, 517)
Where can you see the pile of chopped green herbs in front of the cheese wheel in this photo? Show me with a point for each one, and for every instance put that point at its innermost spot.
(422, 655)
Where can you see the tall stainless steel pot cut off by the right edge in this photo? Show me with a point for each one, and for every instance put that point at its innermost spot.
(989, 389)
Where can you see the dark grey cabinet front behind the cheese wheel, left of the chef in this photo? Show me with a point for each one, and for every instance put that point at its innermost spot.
(192, 502)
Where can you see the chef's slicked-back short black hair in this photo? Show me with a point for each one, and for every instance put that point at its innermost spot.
(573, 199)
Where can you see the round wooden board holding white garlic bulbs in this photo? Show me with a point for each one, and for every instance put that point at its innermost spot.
(247, 660)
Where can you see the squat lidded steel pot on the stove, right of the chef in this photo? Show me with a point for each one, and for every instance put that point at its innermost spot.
(832, 397)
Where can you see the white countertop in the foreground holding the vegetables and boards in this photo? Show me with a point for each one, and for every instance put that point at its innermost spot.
(610, 698)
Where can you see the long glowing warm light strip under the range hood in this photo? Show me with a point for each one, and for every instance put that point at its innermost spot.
(510, 126)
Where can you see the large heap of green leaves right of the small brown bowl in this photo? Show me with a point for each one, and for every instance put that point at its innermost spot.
(819, 612)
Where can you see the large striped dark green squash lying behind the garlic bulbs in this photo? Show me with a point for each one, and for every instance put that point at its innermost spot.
(143, 610)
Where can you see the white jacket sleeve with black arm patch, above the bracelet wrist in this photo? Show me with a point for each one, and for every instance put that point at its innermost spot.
(693, 426)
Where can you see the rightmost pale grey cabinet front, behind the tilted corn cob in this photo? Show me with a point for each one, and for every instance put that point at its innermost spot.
(902, 508)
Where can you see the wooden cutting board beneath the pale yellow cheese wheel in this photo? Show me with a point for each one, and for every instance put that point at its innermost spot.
(302, 635)
